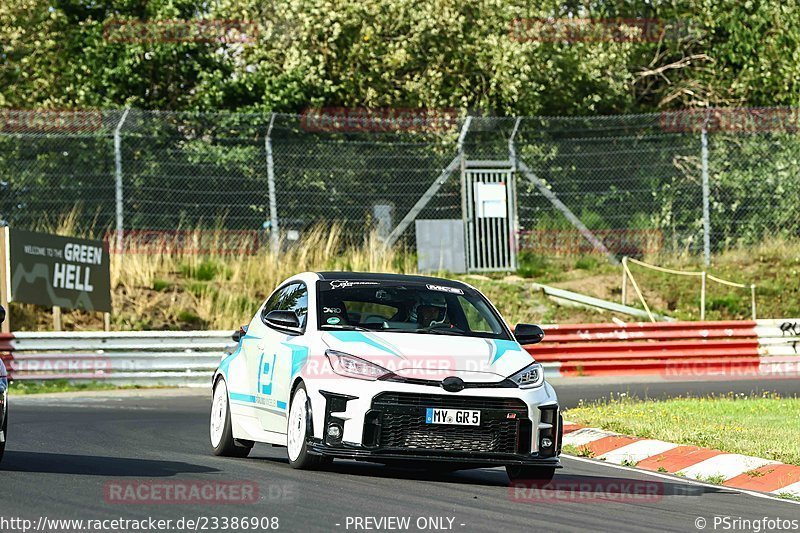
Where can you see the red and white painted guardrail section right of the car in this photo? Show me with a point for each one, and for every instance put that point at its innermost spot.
(673, 349)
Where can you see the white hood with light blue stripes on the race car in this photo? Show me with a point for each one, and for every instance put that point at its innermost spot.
(433, 356)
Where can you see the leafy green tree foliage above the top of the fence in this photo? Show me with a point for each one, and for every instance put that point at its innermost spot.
(401, 53)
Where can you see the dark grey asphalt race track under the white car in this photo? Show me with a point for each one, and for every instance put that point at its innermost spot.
(63, 452)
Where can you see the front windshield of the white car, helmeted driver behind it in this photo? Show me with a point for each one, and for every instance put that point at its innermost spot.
(378, 305)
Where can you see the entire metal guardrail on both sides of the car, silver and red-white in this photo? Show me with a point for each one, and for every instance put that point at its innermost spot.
(188, 358)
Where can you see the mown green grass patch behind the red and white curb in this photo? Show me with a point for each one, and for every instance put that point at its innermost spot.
(765, 426)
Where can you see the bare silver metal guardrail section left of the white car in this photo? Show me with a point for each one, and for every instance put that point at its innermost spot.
(175, 358)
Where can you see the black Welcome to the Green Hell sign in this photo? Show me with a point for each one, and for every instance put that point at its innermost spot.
(59, 271)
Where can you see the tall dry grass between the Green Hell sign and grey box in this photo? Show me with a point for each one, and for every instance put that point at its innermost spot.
(221, 292)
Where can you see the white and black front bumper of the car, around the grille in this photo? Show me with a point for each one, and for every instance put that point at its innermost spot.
(385, 422)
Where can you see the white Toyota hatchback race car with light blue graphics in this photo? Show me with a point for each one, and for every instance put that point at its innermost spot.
(387, 368)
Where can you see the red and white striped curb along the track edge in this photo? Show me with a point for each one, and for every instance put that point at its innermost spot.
(702, 464)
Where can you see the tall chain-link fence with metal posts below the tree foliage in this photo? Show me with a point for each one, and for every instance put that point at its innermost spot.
(636, 183)
